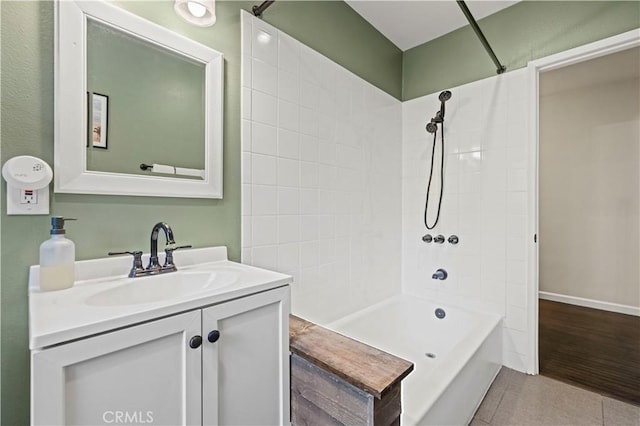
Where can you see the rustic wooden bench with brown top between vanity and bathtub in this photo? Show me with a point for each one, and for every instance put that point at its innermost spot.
(336, 380)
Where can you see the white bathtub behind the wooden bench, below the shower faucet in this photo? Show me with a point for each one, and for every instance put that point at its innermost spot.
(456, 358)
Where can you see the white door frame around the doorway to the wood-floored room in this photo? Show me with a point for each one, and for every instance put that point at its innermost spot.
(617, 43)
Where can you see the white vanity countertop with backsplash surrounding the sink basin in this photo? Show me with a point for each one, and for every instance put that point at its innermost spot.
(60, 316)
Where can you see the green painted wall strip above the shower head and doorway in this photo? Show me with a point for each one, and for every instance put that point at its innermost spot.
(517, 34)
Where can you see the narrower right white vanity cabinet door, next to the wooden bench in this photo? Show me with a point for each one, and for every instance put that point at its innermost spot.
(246, 371)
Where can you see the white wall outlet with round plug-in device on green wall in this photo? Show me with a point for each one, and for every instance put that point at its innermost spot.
(28, 181)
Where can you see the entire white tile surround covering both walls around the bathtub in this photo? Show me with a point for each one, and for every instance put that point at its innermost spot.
(334, 174)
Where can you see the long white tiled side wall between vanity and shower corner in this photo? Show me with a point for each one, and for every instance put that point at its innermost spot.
(321, 174)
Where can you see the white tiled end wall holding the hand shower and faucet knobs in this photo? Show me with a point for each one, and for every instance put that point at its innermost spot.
(484, 203)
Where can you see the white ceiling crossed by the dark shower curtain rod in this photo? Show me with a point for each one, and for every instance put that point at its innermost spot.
(410, 23)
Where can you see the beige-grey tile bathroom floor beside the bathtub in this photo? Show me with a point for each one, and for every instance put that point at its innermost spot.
(519, 399)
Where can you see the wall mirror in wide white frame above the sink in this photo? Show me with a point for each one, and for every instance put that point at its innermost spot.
(138, 108)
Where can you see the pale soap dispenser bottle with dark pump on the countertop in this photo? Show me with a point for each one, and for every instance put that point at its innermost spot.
(57, 258)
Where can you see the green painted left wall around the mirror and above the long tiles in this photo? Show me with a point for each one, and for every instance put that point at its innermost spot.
(113, 222)
